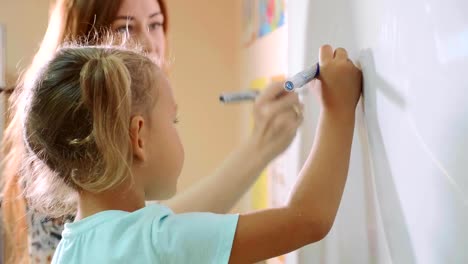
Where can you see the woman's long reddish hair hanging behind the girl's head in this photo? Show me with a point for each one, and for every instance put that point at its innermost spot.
(69, 20)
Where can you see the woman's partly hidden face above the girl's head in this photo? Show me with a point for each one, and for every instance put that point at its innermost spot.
(142, 20)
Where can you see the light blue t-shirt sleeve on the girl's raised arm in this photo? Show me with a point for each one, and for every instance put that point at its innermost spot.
(194, 238)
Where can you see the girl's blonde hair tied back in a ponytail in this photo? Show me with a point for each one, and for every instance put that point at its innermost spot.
(76, 123)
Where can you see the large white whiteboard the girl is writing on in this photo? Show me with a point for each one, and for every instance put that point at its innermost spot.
(406, 199)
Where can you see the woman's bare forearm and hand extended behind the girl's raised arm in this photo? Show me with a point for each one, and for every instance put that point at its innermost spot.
(275, 128)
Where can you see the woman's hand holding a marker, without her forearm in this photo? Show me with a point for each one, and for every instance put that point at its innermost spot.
(277, 115)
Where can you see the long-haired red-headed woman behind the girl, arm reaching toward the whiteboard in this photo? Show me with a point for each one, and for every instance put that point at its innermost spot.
(30, 236)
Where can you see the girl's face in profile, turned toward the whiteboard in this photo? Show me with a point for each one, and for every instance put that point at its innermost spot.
(164, 151)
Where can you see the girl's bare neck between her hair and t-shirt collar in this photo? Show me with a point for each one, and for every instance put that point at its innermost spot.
(122, 198)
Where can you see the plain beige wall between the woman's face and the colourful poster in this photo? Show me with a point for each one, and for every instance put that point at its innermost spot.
(204, 45)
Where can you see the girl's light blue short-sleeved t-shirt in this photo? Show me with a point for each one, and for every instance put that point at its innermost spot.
(153, 234)
